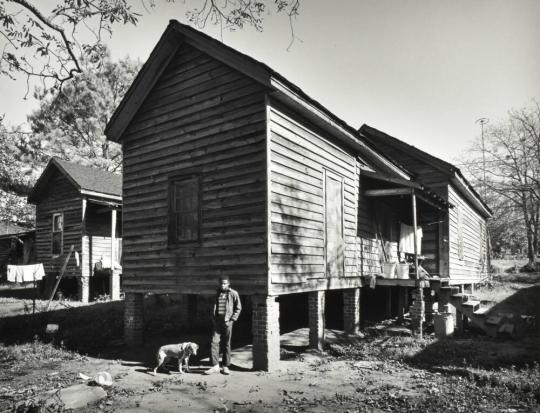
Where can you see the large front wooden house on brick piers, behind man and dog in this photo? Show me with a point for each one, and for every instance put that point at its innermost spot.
(230, 169)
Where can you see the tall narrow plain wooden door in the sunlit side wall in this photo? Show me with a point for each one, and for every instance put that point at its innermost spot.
(334, 244)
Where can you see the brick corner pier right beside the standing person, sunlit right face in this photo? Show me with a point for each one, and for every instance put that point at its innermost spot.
(265, 330)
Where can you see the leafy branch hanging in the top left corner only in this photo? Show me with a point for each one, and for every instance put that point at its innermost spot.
(44, 43)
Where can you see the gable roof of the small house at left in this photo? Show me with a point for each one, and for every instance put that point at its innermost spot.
(86, 179)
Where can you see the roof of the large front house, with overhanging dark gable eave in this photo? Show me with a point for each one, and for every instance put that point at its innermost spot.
(279, 88)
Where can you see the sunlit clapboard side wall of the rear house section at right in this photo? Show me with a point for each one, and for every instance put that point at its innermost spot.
(467, 224)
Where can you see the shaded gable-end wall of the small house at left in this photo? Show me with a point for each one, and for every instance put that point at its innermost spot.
(61, 196)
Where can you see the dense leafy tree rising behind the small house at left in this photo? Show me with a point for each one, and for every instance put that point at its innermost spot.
(70, 123)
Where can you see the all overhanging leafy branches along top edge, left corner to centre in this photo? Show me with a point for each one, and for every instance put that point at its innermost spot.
(47, 43)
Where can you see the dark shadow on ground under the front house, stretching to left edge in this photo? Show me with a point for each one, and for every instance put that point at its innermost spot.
(97, 330)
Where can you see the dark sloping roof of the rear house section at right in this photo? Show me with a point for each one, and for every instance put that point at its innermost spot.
(401, 150)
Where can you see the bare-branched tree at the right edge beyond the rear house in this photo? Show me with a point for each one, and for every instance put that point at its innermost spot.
(512, 151)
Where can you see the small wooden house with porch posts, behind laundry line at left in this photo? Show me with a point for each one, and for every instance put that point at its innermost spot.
(78, 206)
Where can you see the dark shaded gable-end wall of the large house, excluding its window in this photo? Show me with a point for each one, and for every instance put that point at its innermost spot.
(200, 114)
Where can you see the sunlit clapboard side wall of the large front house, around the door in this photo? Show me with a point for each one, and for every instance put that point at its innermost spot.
(299, 157)
